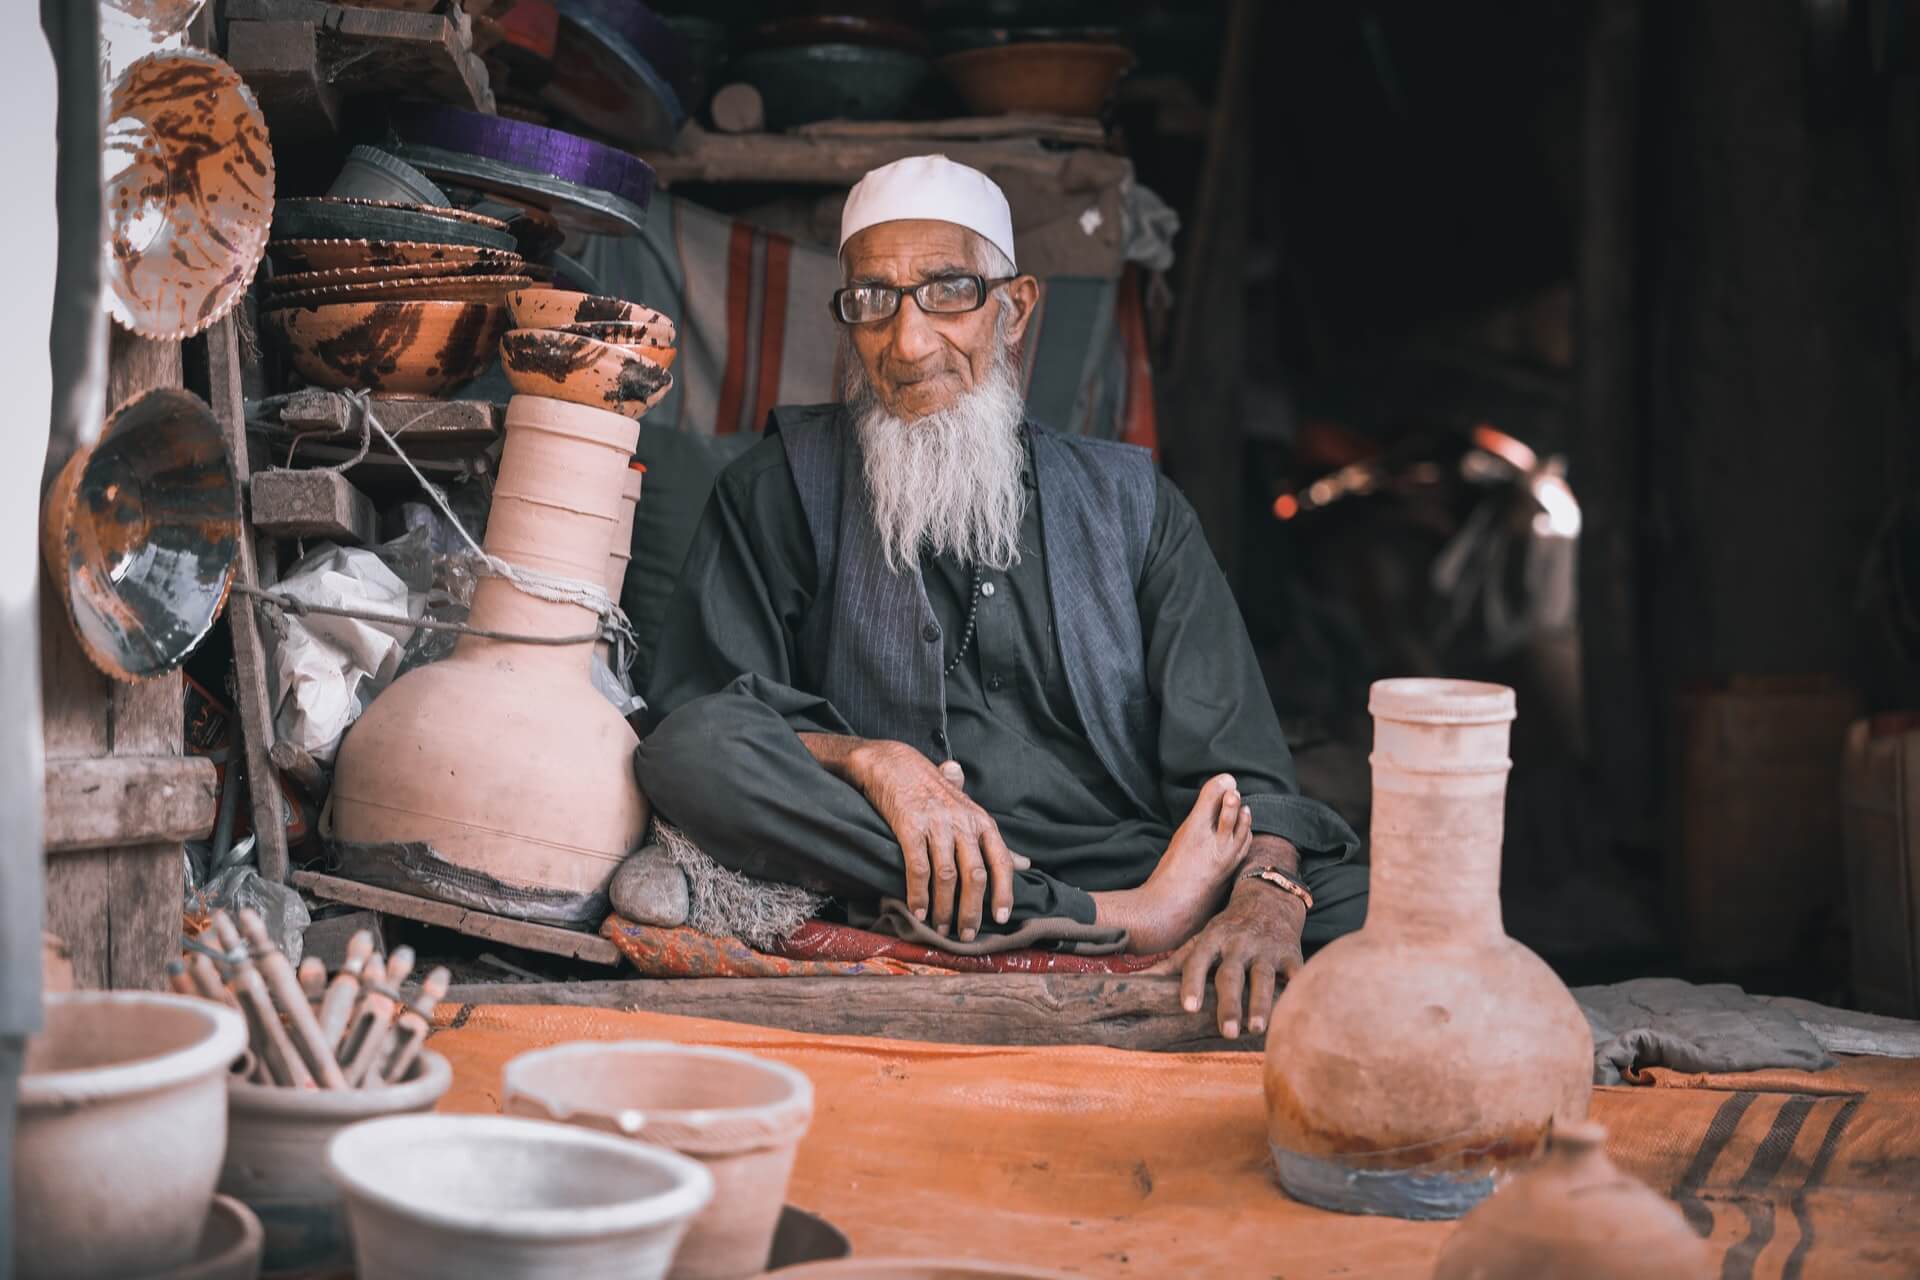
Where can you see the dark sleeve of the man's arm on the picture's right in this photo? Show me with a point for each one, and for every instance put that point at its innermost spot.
(1216, 715)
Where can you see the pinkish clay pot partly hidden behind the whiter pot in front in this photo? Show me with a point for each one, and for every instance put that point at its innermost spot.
(738, 1114)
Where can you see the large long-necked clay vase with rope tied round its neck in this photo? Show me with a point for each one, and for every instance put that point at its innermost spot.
(506, 759)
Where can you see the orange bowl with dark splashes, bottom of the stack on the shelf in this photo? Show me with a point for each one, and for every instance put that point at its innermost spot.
(400, 348)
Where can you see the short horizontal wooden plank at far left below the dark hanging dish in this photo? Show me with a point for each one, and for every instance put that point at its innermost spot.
(118, 801)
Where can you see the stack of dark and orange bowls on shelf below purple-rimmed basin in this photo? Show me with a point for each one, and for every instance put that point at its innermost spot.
(389, 298)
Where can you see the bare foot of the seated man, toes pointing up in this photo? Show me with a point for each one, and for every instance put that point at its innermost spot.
(1193, 878)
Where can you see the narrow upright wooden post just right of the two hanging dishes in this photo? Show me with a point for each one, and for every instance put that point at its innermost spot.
(251, 646)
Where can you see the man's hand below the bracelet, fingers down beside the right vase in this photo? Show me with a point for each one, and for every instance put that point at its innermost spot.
(1255, 943)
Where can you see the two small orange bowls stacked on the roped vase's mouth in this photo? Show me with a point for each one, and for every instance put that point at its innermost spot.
(588, 350)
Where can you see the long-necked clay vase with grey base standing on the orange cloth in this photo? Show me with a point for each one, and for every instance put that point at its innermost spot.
(1410, 1066)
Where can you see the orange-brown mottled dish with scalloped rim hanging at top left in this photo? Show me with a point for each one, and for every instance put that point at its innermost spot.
(189, 193)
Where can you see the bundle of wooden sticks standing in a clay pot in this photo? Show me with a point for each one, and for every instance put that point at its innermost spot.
(306, 1031)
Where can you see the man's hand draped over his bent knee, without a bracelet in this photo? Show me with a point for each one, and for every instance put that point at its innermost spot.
(955, 861)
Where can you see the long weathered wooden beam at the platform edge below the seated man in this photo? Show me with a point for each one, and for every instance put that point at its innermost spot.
(971, 1008)
